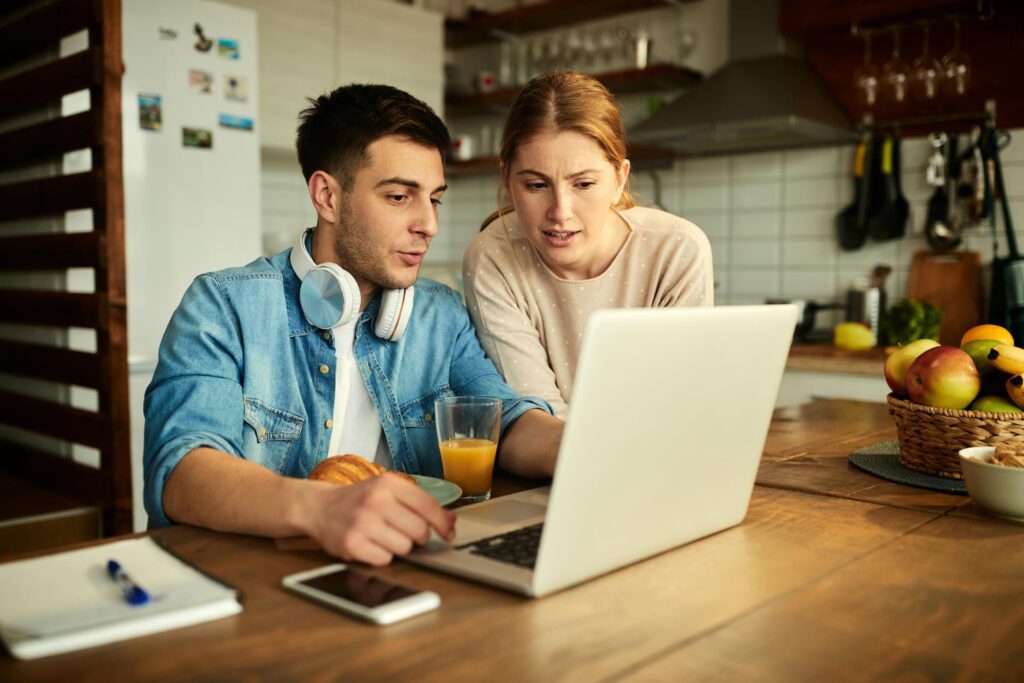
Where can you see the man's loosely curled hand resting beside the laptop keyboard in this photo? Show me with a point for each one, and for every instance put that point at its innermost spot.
(376, 520)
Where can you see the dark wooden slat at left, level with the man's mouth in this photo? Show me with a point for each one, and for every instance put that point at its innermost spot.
(47, 252)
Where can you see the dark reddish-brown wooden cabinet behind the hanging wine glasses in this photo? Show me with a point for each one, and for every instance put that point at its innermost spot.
(824, 28)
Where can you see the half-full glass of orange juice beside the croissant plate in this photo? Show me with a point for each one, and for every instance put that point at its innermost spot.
(467, 435)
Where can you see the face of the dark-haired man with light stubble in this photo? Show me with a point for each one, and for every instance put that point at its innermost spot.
(390, 218)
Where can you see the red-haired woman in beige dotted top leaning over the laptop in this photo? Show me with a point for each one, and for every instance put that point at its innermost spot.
(570, 239)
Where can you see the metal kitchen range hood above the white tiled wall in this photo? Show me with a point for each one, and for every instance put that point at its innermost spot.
(767, 97)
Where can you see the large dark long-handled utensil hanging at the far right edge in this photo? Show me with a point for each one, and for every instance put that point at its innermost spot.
(1007, 300)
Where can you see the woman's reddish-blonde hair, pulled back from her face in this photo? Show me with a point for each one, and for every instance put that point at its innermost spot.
(564, 101)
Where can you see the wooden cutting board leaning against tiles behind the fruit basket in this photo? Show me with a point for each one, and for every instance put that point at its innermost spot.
(954, 282)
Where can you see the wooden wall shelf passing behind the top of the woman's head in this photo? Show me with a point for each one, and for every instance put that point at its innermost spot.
(656, 77)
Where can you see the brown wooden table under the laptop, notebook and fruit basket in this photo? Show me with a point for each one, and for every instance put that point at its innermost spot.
(834, 575)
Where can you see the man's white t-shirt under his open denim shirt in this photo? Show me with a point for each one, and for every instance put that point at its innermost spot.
(357, 425)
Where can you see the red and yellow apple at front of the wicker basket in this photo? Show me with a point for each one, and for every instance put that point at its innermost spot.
(944, 377)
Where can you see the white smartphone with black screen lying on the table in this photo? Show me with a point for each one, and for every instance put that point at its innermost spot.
(360, 594)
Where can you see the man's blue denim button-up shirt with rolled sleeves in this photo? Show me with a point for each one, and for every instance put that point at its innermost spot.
(243, 372)
